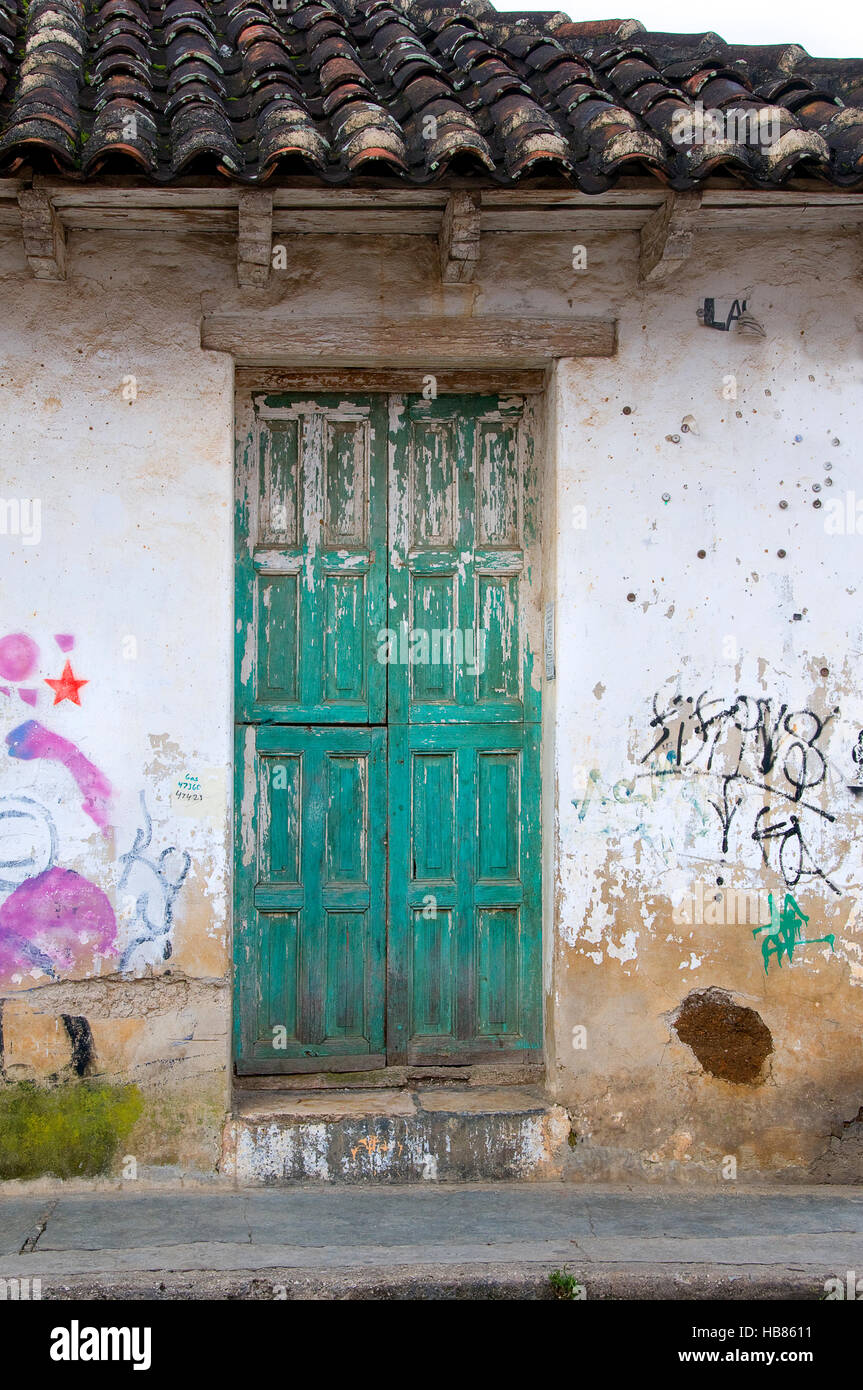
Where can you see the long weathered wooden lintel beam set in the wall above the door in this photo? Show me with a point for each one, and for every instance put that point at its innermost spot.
(427, 343)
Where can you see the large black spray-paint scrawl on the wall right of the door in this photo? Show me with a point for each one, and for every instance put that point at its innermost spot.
(751, 746)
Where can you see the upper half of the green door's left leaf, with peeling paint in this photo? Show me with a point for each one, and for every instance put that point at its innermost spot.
(312, 562)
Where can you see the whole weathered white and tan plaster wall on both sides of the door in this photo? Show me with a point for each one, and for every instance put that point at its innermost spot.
(131, 583)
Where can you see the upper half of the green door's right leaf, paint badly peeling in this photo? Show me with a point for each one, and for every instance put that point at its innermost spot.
(465, 564)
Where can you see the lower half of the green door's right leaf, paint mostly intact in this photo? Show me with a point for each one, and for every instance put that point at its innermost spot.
(465, 935)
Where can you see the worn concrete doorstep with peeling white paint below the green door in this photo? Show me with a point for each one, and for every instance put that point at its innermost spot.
(395, 1136)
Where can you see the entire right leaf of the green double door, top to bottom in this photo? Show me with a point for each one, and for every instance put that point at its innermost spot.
(465, 915)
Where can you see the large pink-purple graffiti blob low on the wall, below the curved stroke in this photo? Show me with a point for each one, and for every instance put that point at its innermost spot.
(55, 921)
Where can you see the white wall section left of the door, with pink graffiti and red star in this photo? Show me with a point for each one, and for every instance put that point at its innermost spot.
(122, 429)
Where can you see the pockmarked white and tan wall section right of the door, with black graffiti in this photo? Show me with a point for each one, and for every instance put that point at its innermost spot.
(709, 717)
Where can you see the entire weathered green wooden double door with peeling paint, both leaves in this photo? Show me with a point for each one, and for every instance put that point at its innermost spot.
(387, 796)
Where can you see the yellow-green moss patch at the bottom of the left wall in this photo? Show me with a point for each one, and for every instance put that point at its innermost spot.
(69, 1131)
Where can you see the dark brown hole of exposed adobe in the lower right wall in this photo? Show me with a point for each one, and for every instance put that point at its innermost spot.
(729, 1040)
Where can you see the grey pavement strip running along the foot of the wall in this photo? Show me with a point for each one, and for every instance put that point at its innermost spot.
(440, 1242)
